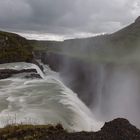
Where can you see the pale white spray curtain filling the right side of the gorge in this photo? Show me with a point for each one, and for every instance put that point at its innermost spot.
(119, 93)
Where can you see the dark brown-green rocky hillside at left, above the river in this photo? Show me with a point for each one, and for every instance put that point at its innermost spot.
(14, 48)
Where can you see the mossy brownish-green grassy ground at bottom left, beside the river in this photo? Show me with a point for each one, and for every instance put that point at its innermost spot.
(29, 132)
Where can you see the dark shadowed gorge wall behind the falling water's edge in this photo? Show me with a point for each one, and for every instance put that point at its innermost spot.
(75, 73)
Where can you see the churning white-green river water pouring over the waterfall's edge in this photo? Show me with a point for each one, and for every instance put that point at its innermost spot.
(42, 101)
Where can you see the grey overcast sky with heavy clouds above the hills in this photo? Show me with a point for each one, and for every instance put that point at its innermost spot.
(58, 19)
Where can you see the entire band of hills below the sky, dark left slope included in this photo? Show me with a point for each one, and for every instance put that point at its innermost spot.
(123, 44)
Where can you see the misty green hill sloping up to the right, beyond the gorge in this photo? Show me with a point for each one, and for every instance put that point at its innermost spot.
(109, 47)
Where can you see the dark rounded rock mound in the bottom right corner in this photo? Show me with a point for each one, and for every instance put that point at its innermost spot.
(118, 129)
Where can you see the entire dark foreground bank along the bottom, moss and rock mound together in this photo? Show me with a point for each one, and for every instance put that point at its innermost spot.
(118, 129)
